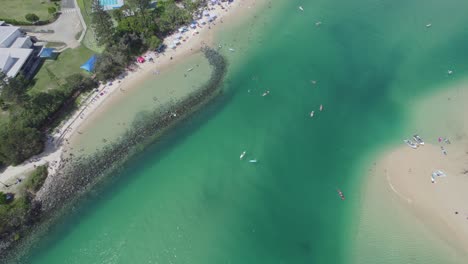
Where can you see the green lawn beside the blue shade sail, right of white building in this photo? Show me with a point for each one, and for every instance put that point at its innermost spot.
(53, 72)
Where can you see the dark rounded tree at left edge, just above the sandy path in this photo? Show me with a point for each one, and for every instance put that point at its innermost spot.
(18, 143)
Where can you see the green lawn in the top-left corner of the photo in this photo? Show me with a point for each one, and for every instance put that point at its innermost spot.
(17, 9)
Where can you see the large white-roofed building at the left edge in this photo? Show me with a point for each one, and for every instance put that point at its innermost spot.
(15, 49)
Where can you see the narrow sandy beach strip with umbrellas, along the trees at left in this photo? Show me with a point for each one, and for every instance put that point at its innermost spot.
(111, 92)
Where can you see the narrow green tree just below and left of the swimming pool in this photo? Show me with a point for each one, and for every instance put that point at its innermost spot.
(102, 24)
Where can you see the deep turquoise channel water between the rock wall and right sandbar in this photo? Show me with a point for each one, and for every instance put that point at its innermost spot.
(189, 199)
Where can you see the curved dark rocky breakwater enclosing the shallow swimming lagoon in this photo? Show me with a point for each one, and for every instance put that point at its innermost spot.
(78, 175)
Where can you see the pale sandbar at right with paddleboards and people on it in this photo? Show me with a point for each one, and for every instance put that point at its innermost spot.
(404, 175)
